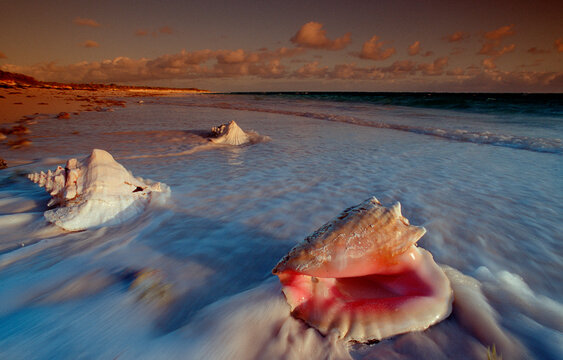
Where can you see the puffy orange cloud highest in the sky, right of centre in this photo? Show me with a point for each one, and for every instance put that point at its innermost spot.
(311, 35)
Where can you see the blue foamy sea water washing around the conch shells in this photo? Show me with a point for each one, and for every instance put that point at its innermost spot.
(191, 279)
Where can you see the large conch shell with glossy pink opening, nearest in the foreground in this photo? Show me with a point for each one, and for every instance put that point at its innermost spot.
(362, 275)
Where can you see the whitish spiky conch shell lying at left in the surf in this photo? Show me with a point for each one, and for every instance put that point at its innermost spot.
(95, 191)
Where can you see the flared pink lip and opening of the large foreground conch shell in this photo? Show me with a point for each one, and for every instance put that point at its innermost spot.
(371, 307)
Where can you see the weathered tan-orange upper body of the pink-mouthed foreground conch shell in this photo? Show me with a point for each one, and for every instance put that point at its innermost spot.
(359, 240)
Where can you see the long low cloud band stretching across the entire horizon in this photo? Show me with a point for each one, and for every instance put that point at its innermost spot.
(276, 64)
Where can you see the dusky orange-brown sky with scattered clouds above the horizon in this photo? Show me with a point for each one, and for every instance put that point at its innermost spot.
(354, 45)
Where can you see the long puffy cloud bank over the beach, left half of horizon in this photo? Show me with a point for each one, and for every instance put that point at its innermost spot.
(201, 64)
